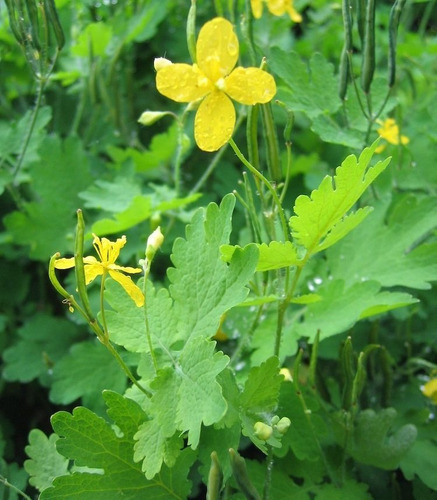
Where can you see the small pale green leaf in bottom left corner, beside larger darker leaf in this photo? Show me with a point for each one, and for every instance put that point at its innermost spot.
(45, 462)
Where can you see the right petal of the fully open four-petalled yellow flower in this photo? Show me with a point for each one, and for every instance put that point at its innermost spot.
(250, 86)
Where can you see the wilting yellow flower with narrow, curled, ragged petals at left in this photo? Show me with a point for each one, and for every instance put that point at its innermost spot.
(108, 252)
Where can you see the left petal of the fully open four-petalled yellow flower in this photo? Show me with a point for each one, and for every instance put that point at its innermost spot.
(182, 82)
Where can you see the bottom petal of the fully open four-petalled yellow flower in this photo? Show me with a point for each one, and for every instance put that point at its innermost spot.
(214, 122)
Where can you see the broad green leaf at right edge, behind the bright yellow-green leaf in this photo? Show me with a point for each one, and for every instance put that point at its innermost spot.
(393, 254)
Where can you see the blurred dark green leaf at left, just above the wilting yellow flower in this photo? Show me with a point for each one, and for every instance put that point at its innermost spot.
(47, 224)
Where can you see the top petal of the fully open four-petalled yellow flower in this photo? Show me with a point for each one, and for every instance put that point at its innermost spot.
(217, 49)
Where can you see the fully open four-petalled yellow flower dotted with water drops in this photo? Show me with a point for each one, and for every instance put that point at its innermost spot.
(214, 80)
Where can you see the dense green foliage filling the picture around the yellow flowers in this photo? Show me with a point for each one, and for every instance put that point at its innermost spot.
(358, 331)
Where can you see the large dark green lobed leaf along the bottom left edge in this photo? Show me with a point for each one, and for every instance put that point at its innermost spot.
(92, 442)
